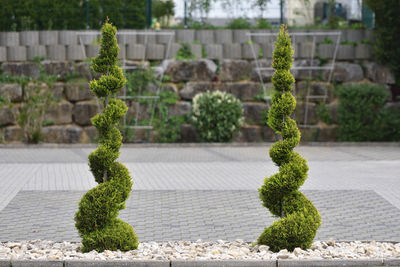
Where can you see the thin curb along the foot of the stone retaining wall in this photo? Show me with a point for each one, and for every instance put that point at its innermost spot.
(201, 145)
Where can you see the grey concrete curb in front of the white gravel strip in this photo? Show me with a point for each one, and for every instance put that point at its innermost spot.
(201, 263)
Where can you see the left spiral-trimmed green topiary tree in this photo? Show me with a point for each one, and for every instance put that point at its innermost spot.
(96, 219)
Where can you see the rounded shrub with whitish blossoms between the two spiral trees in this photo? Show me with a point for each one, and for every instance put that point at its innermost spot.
(217, 116)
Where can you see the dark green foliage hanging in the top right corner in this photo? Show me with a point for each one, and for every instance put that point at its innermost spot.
(387, 33)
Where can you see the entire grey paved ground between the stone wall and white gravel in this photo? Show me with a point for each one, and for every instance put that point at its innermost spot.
(187, 193)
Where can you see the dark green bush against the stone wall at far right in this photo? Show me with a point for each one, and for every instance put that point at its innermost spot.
(362, 115)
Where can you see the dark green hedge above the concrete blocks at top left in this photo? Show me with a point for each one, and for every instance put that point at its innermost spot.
(71, 14)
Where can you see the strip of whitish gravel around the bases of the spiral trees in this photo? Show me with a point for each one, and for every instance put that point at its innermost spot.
(199, 250)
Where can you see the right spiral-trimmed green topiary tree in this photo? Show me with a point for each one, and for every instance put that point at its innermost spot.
(299, 218)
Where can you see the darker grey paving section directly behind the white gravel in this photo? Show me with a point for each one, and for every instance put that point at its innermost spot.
(211, 209)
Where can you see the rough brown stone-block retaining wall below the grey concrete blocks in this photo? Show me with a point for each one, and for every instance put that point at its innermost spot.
(68, 119)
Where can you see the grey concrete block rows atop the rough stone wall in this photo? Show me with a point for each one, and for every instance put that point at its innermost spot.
(64, 45)
